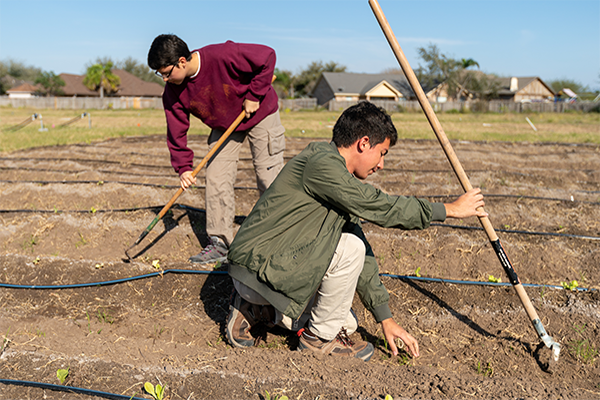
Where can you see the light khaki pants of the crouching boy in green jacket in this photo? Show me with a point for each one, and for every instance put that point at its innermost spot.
(330, 308)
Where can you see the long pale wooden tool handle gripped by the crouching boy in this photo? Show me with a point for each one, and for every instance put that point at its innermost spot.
(450, 154)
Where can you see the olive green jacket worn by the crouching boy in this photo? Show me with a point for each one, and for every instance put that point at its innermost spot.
(285, 245)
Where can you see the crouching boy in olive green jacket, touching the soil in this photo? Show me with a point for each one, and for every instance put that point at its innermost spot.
(301, 254)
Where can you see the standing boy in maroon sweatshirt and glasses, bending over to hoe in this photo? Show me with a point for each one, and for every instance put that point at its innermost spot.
(215, 83)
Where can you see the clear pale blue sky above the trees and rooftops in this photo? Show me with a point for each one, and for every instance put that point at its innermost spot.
(550, 39)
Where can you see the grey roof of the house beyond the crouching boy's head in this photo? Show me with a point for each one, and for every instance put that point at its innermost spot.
(360, 84)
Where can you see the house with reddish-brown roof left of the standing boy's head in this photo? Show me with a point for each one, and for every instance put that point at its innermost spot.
(130, 86)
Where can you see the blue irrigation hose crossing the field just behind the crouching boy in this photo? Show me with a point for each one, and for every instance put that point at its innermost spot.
(205, 272)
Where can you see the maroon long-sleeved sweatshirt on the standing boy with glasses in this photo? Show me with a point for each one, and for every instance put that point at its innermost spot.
(229, 73)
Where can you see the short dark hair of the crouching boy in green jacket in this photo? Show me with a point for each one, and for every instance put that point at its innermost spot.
(364, 119)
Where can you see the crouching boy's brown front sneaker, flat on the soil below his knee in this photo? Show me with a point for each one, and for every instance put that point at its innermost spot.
(341, 345)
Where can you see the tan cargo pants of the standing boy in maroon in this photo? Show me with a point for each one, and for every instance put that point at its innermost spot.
(267, 142)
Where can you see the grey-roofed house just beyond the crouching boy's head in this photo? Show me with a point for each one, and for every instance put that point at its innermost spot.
(346, 86)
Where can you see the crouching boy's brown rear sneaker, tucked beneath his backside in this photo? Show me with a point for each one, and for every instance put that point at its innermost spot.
(243, 316)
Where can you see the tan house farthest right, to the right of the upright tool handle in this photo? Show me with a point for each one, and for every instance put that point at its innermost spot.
(524, 89)
